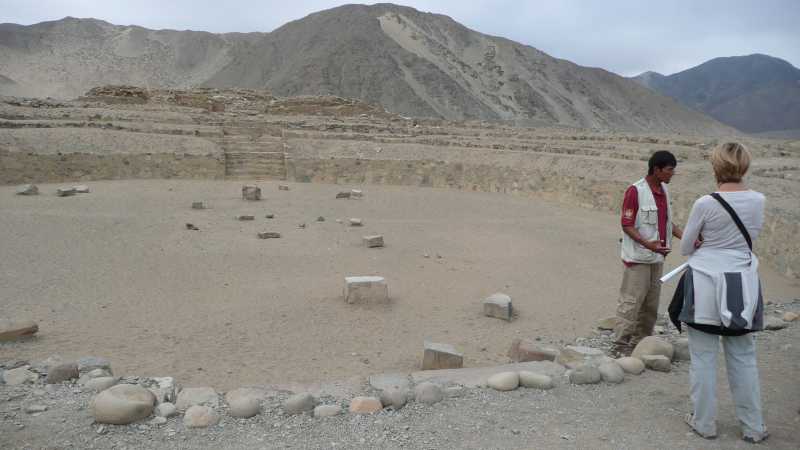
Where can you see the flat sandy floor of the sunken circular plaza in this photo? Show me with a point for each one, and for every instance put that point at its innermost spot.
(115, 273)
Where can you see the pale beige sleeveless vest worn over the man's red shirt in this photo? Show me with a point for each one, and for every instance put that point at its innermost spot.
(647, 225)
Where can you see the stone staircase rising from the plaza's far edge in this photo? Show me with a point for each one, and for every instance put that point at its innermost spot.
(253, 156)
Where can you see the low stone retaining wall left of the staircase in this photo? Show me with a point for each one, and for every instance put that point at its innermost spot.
(17, 168)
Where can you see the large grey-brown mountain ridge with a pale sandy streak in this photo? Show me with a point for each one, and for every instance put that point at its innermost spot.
(410, 62)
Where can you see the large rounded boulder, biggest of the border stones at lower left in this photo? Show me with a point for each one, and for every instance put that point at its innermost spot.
(122, 404)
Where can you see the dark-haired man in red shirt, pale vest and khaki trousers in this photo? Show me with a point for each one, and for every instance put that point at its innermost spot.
(647, 234)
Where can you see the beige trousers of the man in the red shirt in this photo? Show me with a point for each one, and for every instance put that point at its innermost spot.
(638, 302)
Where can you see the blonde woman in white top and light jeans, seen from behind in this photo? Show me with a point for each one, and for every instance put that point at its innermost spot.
(721, 296)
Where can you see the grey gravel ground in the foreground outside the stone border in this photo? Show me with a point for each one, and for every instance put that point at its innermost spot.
(643, 412)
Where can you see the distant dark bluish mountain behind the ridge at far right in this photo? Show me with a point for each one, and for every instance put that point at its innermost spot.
(754, 93)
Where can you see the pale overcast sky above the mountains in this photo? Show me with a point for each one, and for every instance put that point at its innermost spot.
(623, 36)
